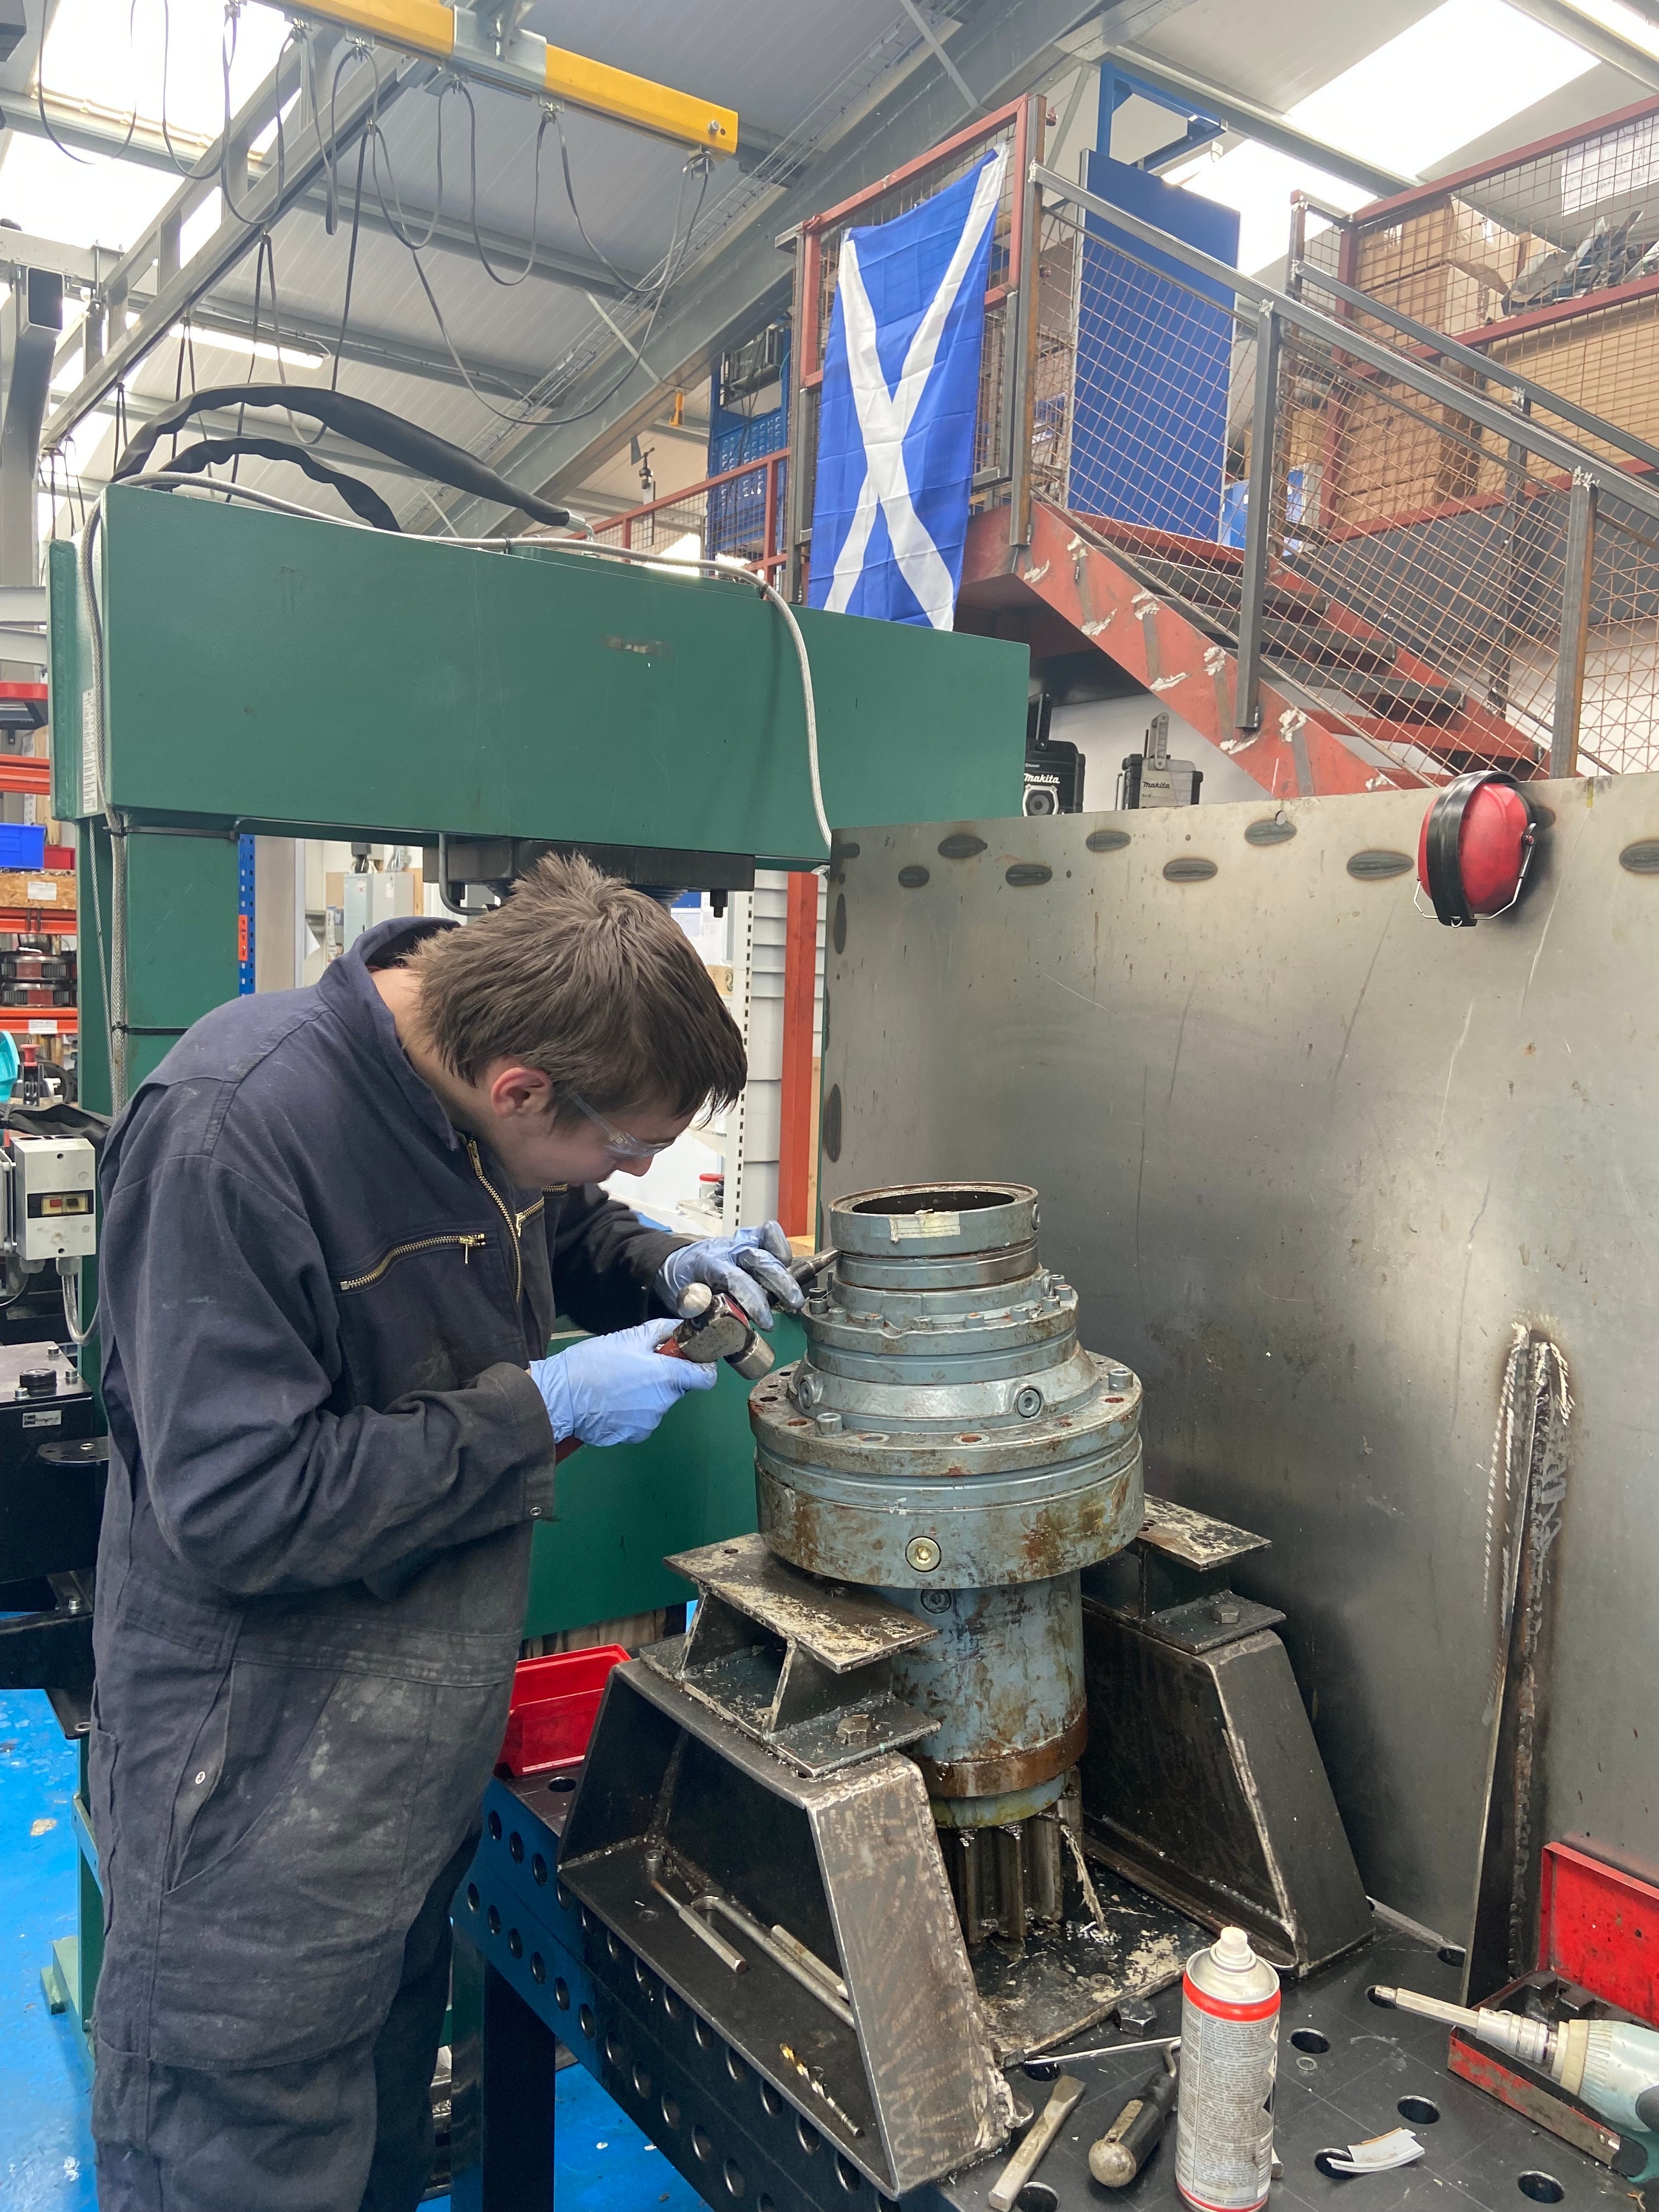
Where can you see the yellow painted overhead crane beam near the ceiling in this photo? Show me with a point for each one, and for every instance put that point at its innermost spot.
(430, 28)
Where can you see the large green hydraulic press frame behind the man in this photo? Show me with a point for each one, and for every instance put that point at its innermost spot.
(222, 669)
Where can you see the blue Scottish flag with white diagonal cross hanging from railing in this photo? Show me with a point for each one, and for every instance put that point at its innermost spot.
(901, 386)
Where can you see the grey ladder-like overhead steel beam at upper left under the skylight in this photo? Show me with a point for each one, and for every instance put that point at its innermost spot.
(180, 289)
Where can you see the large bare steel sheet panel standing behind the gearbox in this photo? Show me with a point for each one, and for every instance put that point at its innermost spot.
(1308, 1160)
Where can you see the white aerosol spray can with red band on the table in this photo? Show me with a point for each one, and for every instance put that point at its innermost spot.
(1224, 2122)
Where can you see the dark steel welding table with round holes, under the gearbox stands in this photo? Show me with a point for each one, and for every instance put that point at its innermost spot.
(528, 1970)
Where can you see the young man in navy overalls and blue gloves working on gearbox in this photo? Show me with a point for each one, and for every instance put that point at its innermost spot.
(337, 1229)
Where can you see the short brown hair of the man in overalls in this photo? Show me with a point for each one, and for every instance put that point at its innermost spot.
(592, 983)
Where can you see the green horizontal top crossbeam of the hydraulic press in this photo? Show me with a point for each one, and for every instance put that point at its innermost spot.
(309, 676)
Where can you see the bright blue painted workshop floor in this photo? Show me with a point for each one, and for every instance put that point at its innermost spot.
(45, 2147)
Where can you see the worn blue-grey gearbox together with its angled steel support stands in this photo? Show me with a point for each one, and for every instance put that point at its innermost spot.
(970, 1742)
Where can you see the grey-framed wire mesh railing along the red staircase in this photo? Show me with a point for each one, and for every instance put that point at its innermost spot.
(1432, 583)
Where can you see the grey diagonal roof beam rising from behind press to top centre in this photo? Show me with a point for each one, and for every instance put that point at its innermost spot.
(1003, 50)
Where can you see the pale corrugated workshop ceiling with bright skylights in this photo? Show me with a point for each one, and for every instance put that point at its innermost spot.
(552, 291)
